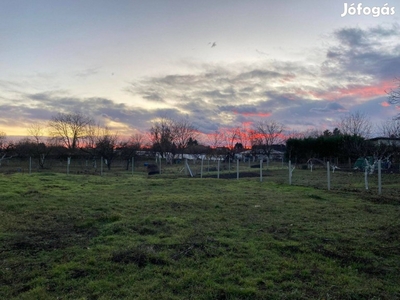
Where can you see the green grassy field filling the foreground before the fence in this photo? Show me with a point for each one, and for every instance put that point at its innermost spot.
(163, 237)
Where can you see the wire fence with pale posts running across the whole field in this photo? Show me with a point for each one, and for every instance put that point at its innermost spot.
(343, 178)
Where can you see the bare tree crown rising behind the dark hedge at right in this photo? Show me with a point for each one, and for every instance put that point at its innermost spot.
(356, 123)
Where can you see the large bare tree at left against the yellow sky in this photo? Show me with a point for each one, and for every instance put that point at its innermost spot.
(70, 129)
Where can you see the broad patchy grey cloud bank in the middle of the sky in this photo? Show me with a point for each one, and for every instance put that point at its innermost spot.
(246, 96)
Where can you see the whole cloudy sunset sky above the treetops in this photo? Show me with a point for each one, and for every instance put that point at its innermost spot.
(217, 63)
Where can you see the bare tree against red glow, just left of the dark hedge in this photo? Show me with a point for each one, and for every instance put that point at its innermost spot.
(265, 134)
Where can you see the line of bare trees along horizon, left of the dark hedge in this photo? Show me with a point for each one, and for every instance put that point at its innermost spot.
(76, 134)
